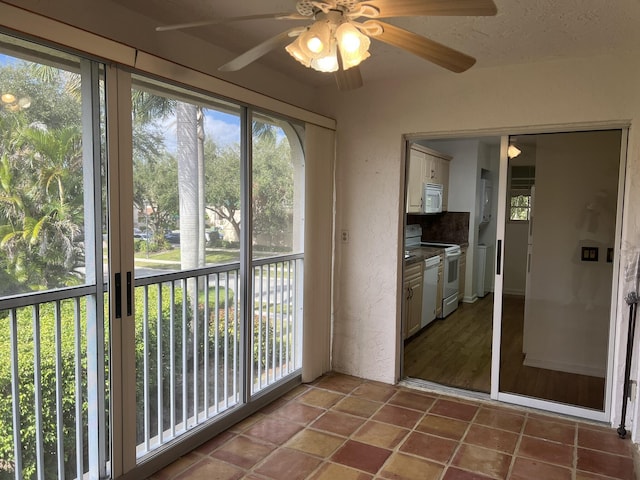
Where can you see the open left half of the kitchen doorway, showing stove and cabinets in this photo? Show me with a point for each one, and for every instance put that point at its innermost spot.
(447, 340)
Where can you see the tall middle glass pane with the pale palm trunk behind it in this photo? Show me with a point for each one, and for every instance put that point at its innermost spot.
(187, 205)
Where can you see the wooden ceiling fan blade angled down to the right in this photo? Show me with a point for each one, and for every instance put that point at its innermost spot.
(423, 47)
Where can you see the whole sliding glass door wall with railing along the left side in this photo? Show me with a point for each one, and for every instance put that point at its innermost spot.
(151, 264)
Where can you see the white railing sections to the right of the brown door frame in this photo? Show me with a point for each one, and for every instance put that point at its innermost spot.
(189, 343)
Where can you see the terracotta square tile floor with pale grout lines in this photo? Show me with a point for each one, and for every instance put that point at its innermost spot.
(345, 428)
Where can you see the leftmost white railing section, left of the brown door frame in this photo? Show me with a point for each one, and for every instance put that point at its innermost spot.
(49, 371)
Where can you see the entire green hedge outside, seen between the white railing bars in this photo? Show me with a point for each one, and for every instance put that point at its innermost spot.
(224, 318)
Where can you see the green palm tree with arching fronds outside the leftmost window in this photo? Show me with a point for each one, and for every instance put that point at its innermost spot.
(41, 202)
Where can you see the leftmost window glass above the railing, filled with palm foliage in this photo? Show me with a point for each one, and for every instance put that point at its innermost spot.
(41, 175)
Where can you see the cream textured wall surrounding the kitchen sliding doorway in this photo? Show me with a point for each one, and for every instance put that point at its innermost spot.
(371, 123)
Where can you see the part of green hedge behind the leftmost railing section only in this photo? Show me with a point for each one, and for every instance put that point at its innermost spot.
(25, 342)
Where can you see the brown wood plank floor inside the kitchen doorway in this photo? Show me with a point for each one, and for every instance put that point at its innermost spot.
(456, 351)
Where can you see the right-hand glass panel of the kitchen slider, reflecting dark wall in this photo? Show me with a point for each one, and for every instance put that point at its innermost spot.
(556, 315)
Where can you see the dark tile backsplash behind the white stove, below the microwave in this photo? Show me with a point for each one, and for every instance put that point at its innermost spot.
(445, 227)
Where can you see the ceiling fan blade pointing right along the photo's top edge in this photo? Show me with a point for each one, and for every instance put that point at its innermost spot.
(414, 8)
